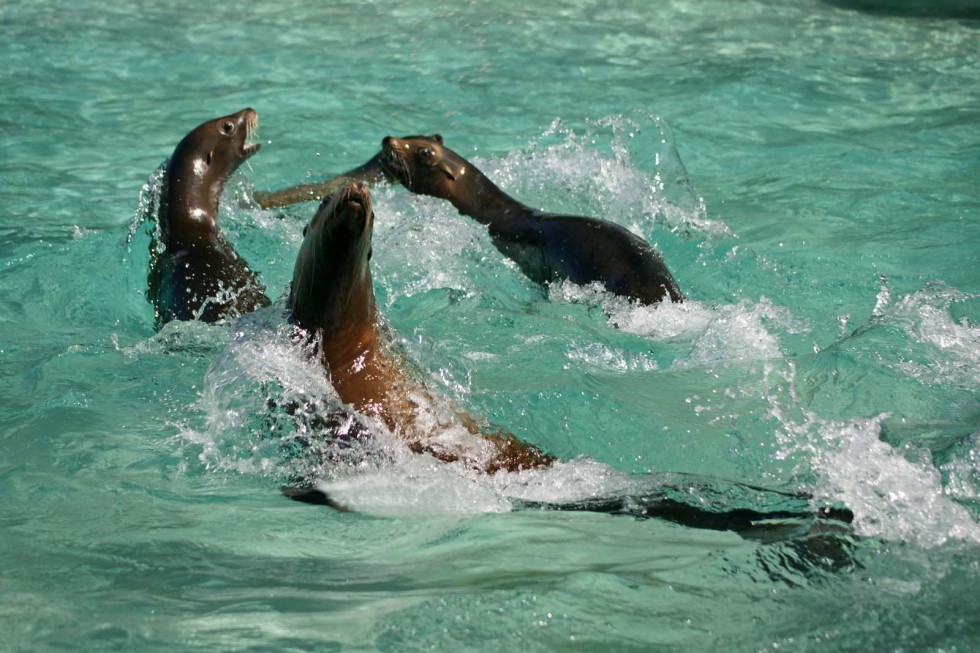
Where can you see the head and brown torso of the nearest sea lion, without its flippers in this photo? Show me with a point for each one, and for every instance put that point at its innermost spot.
(331, 300)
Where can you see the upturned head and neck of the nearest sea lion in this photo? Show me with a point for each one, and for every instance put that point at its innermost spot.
(332, 288)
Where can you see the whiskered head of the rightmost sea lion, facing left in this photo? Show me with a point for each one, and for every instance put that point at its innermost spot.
(423, 165)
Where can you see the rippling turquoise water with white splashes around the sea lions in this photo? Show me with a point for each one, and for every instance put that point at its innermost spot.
(809, 173)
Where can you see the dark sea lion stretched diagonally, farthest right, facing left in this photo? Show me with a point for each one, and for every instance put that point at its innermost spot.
(547, 247)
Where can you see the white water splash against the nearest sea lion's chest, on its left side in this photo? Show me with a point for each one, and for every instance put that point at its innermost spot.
(267, 409)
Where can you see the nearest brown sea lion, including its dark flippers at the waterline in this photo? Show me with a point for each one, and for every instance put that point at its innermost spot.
(332, 304)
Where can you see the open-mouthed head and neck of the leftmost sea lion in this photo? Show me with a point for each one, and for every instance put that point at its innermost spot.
(204, 160)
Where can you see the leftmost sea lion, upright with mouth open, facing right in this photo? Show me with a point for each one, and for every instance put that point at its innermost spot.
(195, 273)
